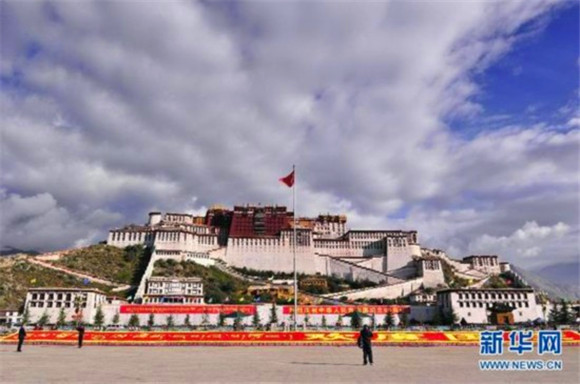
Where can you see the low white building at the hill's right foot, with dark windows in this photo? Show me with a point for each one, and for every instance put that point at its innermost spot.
(474, 305)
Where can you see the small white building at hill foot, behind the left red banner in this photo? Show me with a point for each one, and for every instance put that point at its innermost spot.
(174, 290)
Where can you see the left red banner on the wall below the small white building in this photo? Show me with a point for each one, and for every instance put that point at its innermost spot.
(186, 309)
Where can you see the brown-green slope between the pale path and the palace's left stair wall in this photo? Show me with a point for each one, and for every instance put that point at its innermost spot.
(123, 266)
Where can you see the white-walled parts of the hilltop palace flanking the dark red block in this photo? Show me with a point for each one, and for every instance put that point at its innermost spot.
(182, 236)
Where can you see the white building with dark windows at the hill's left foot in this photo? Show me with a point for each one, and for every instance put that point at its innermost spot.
(72, 300)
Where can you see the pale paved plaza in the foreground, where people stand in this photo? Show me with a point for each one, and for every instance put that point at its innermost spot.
(67, 364)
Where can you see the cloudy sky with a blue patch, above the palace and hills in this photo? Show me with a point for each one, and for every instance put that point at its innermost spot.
(458, 119)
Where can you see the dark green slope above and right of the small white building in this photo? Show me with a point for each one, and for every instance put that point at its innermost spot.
(219, 287)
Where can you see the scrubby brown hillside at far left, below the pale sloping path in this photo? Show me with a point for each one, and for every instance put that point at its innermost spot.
(17, 275)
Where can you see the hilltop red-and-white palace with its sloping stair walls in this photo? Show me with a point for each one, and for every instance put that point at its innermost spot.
(261, 238)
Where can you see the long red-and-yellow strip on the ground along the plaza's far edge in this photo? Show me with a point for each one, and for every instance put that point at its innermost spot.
(428, 338)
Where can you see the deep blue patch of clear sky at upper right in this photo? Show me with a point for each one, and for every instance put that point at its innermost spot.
(535, 79)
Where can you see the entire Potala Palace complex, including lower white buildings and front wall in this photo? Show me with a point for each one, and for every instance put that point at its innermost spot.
(261, 238)
